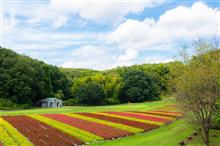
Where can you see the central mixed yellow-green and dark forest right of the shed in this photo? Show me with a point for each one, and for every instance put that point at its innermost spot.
(122, 84)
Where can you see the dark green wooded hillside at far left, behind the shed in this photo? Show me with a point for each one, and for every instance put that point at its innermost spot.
(23, 81)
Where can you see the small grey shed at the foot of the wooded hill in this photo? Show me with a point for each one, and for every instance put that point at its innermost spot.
(50, 102)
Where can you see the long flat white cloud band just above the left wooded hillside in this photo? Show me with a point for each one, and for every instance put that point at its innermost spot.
(29, 39)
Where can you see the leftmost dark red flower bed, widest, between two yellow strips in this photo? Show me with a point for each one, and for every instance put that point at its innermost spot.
(41, 134)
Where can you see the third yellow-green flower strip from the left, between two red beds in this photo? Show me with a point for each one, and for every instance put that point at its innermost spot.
(115, 125)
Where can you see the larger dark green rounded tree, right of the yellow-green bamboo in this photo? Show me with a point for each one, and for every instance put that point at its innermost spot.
(138, 87)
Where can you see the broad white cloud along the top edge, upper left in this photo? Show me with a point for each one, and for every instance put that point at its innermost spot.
(56, 13)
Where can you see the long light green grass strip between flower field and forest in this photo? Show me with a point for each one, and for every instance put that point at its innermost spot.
(70, 109)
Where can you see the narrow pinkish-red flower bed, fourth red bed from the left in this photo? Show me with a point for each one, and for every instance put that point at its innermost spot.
(145, 117)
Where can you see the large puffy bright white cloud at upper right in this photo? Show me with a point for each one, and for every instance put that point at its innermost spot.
(179, 24)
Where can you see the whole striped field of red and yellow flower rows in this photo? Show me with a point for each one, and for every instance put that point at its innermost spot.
(79, 128)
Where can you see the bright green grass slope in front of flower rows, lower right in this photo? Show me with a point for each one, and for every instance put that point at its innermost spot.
(167, 135)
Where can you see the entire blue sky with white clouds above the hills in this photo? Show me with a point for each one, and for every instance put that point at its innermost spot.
(102, 34)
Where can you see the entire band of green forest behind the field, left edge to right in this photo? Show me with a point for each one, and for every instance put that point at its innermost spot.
(23, 81)
